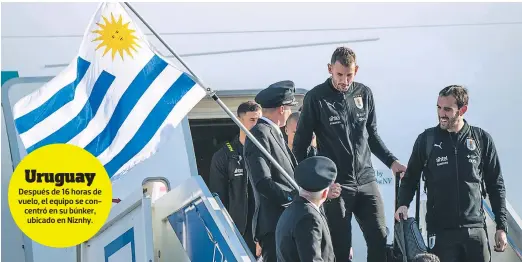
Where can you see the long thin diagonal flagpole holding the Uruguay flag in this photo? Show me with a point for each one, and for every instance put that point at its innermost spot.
(213, 95)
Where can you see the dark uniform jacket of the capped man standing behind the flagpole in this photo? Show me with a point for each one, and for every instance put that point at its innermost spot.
(272, 191)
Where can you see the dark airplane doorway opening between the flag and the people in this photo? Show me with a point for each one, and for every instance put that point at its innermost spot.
(208, 135)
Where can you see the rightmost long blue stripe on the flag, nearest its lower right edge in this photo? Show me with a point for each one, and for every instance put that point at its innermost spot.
(151, 124)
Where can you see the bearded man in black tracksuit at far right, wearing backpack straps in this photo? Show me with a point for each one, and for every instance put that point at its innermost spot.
(460, 166)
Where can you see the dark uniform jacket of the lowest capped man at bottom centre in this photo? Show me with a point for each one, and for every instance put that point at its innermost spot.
(302, 234)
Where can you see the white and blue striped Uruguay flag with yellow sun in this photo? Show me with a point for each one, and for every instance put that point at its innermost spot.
(114, 99)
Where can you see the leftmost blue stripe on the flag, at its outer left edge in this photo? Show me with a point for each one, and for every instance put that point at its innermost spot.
(57, 101)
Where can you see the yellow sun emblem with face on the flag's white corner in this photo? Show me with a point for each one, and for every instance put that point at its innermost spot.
(116, 36)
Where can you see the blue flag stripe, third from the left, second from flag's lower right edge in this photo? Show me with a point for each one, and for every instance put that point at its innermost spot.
(127, 102)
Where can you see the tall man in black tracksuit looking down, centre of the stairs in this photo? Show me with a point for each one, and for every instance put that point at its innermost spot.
(341, 112)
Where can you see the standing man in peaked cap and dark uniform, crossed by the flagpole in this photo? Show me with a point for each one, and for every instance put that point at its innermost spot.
(272, 191)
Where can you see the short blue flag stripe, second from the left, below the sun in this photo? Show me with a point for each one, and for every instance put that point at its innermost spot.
(80, 122)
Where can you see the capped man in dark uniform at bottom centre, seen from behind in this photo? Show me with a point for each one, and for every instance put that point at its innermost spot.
(302, 232)
